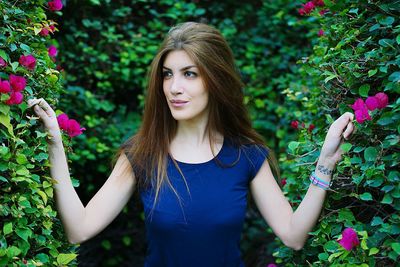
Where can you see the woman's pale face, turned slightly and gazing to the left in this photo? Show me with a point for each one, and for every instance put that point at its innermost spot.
(183, 87)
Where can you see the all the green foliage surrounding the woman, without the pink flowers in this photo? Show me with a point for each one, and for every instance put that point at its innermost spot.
(291, 73)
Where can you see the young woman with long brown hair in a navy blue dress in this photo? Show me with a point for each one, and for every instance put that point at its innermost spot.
(193, 160)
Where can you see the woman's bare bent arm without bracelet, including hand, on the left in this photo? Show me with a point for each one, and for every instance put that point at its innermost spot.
(80, 222)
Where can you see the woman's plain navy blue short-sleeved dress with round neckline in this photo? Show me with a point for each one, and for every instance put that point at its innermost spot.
(203, 227)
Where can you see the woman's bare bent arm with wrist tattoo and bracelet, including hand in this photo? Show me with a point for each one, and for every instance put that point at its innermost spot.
(293, 227)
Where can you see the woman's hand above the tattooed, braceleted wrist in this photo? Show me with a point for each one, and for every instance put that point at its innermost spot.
(343, 127)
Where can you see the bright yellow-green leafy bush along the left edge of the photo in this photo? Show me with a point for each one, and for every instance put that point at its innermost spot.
(30, 231)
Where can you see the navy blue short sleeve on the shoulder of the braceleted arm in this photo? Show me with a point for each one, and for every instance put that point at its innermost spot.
(256, 155)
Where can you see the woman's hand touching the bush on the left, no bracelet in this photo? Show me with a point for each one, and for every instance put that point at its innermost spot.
(49, 118)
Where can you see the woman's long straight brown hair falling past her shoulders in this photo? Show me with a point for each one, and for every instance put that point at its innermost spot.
(148, 149)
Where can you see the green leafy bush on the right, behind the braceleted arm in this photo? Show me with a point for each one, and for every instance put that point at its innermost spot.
(356, 57)
